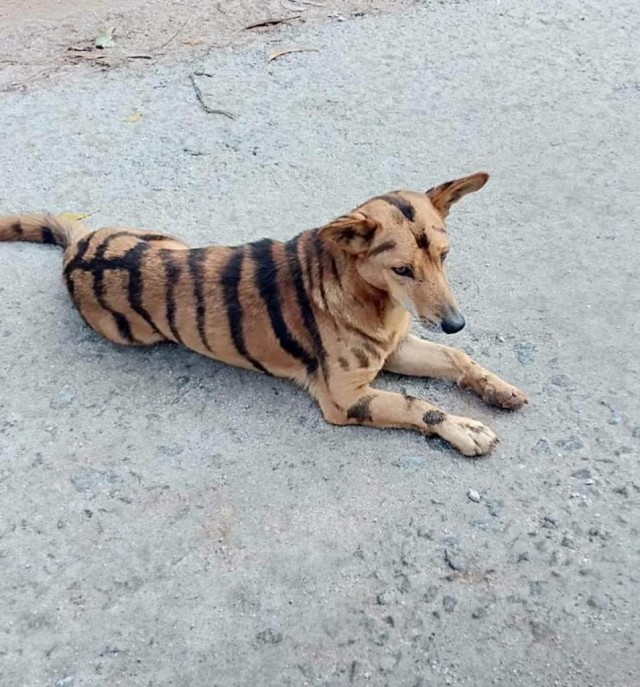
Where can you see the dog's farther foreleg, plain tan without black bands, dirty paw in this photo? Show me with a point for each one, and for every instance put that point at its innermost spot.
(421, 358)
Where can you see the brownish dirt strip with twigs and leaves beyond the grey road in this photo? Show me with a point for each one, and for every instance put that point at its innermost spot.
(42, 38)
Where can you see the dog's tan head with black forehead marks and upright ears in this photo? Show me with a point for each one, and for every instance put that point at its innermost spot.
(399, 244)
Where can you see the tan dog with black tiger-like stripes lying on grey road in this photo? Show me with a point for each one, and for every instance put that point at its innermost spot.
(329, 309)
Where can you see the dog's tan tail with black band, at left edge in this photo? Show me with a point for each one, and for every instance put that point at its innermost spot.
(49, 229)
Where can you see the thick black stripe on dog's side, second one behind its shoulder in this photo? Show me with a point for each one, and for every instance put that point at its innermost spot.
(266, 281)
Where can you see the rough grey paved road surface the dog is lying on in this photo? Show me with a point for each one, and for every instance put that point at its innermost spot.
(166, 520)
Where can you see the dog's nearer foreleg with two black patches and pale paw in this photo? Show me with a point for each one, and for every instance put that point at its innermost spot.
(368, 406)
